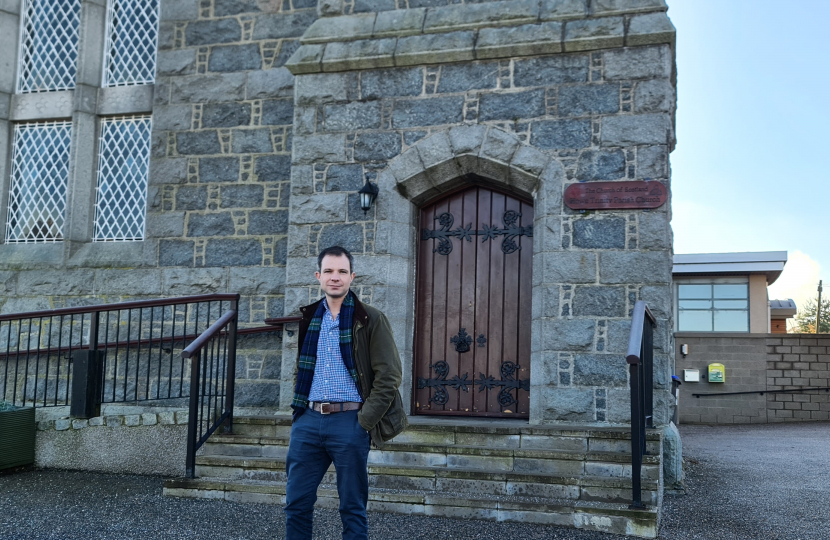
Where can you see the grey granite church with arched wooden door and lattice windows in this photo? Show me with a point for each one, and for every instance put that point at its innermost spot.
(174, 147)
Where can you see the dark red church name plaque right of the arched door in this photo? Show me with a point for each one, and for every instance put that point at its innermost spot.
(613, 195)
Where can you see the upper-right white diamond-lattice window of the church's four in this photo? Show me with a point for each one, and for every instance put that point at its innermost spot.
(132, 37)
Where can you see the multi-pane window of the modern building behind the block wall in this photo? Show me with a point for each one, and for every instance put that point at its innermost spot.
(720, 305)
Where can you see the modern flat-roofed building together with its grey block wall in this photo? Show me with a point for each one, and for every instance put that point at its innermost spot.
(735, 360)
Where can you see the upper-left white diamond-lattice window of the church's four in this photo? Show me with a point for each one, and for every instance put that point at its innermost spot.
(49, 45)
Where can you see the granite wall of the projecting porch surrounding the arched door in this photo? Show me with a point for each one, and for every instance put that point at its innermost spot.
(530, 124)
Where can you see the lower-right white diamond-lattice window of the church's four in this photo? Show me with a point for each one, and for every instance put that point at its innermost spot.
(123, 159)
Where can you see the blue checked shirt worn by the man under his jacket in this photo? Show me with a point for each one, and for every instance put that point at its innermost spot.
(331, 382)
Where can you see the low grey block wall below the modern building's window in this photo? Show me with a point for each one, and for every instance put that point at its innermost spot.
(756, 362)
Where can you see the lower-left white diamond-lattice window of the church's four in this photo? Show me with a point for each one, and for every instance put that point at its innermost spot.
(37, 192)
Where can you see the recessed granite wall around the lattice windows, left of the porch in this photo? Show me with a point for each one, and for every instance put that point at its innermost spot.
(217, 215)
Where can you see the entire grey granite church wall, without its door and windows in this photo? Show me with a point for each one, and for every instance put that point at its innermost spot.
(255, 167)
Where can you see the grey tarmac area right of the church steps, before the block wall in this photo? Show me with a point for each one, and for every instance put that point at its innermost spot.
(753, 482)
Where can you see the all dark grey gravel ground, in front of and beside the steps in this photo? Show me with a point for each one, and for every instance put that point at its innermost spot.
(744, 482)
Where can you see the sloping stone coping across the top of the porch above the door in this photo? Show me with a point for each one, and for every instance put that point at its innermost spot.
(464, 32)
